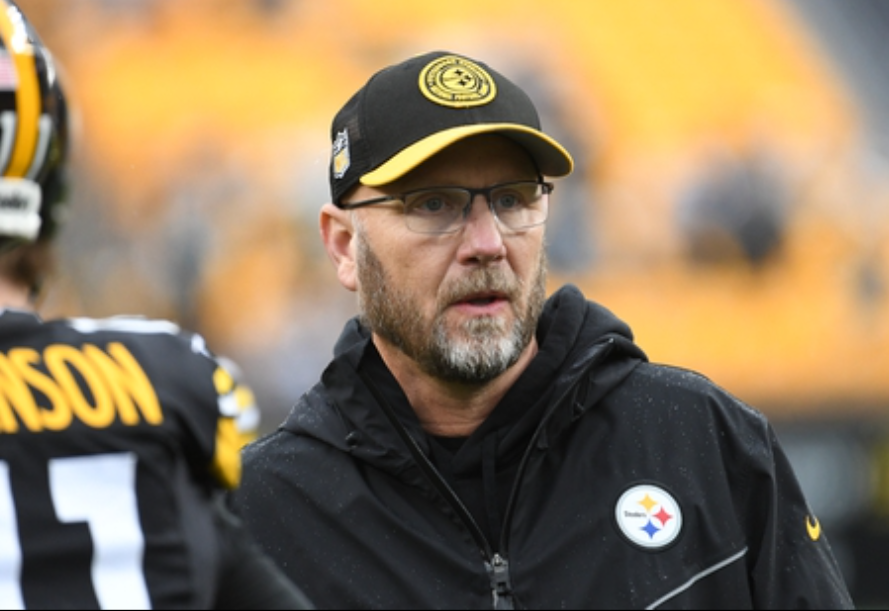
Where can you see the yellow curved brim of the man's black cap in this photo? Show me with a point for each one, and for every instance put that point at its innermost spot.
(551, 157)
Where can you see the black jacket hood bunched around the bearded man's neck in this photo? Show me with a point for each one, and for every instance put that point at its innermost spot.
(575, 336)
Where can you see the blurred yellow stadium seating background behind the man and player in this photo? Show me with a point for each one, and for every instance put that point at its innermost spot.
(731, 198)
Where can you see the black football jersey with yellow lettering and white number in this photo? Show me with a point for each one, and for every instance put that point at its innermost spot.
(115, 435)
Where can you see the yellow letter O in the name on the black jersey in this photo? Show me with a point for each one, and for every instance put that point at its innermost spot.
(62, 361)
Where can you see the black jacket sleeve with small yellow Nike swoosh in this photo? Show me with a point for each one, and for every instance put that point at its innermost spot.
(792, 564)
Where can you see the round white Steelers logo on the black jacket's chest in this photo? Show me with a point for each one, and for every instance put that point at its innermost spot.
(648, 516)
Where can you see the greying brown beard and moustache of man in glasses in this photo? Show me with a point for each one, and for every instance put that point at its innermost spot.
(476, 353)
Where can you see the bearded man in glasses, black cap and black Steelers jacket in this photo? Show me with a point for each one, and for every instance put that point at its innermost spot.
(474, 444)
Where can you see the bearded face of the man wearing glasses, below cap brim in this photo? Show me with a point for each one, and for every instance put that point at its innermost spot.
(464, 305)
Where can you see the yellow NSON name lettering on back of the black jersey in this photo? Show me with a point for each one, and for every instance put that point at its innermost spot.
(66, 384)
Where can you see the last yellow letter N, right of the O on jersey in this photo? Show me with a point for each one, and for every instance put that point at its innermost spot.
(128, 382)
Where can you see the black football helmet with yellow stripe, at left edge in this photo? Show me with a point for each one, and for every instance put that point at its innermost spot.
(33, 132)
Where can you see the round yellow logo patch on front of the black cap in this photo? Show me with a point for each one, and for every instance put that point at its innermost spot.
(457, 82)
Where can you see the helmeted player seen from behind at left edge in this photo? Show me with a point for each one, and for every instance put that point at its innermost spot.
(118, 437)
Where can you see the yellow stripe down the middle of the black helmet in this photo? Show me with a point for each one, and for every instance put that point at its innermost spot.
(27, 93)
